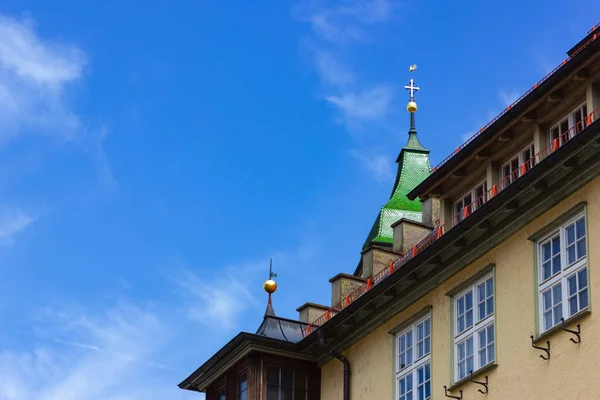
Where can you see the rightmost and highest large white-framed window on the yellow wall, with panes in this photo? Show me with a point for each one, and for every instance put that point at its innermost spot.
(562, 271)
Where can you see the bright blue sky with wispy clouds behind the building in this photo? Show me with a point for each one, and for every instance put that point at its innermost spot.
(154, 155)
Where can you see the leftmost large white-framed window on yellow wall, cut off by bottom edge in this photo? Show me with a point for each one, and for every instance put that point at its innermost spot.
(413, 367)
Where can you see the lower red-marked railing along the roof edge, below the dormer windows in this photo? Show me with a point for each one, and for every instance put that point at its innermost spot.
(440, 230)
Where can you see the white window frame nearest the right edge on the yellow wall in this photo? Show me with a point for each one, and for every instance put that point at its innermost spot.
(566, 271)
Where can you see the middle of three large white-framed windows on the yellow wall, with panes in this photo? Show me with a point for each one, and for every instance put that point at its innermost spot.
(474, 343)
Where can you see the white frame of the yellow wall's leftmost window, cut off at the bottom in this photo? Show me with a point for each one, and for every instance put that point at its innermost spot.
(411, 370)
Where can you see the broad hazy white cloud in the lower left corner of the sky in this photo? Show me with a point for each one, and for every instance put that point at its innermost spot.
(115, 363)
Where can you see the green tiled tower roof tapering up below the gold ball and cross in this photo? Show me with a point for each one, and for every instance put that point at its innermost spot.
(413, 168)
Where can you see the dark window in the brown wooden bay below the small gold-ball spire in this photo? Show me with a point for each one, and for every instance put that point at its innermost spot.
(286, 384)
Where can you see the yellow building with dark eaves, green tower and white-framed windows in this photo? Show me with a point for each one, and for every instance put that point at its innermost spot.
(488, 294)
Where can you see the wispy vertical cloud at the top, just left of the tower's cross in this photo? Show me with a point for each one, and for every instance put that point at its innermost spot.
(361, 106)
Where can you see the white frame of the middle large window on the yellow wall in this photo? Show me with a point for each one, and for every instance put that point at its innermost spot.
(478, 325)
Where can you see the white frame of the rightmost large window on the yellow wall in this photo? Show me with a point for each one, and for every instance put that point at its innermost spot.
(565, 273)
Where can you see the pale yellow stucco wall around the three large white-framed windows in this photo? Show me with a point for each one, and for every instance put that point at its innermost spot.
(573, 371)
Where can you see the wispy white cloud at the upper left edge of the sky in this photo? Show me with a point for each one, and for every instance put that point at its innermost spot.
(37, 77)
